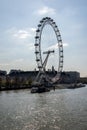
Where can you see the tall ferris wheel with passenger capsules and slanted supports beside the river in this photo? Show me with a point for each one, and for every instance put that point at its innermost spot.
(38, 51)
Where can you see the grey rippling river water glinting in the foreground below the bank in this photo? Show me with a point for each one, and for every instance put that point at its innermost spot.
(62, 109)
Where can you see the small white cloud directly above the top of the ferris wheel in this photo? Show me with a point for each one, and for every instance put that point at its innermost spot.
(46, 10)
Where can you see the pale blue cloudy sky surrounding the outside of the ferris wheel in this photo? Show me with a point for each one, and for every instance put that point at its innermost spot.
(18, 21)
